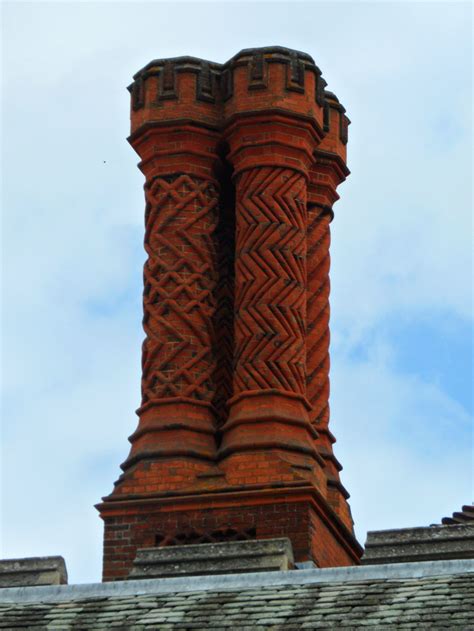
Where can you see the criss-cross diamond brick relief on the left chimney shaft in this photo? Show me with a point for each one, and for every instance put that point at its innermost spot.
(179, 294)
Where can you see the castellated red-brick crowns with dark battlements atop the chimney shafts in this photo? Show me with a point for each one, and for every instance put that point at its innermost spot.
(267, 80)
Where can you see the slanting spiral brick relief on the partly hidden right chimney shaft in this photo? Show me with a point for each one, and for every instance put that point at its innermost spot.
(317, 343)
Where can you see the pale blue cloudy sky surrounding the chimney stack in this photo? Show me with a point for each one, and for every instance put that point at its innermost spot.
(72, 255)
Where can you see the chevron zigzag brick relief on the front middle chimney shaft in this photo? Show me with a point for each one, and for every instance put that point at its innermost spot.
(270, 296)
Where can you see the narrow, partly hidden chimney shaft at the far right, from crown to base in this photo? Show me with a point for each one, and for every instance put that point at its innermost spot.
(326, 173)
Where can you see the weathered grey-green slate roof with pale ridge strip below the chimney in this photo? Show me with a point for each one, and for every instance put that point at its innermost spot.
(438, 595)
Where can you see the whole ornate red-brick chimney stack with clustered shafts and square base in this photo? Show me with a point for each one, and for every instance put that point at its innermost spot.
(242, 161)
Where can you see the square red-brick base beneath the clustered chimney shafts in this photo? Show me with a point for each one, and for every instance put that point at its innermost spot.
(298, 513)
